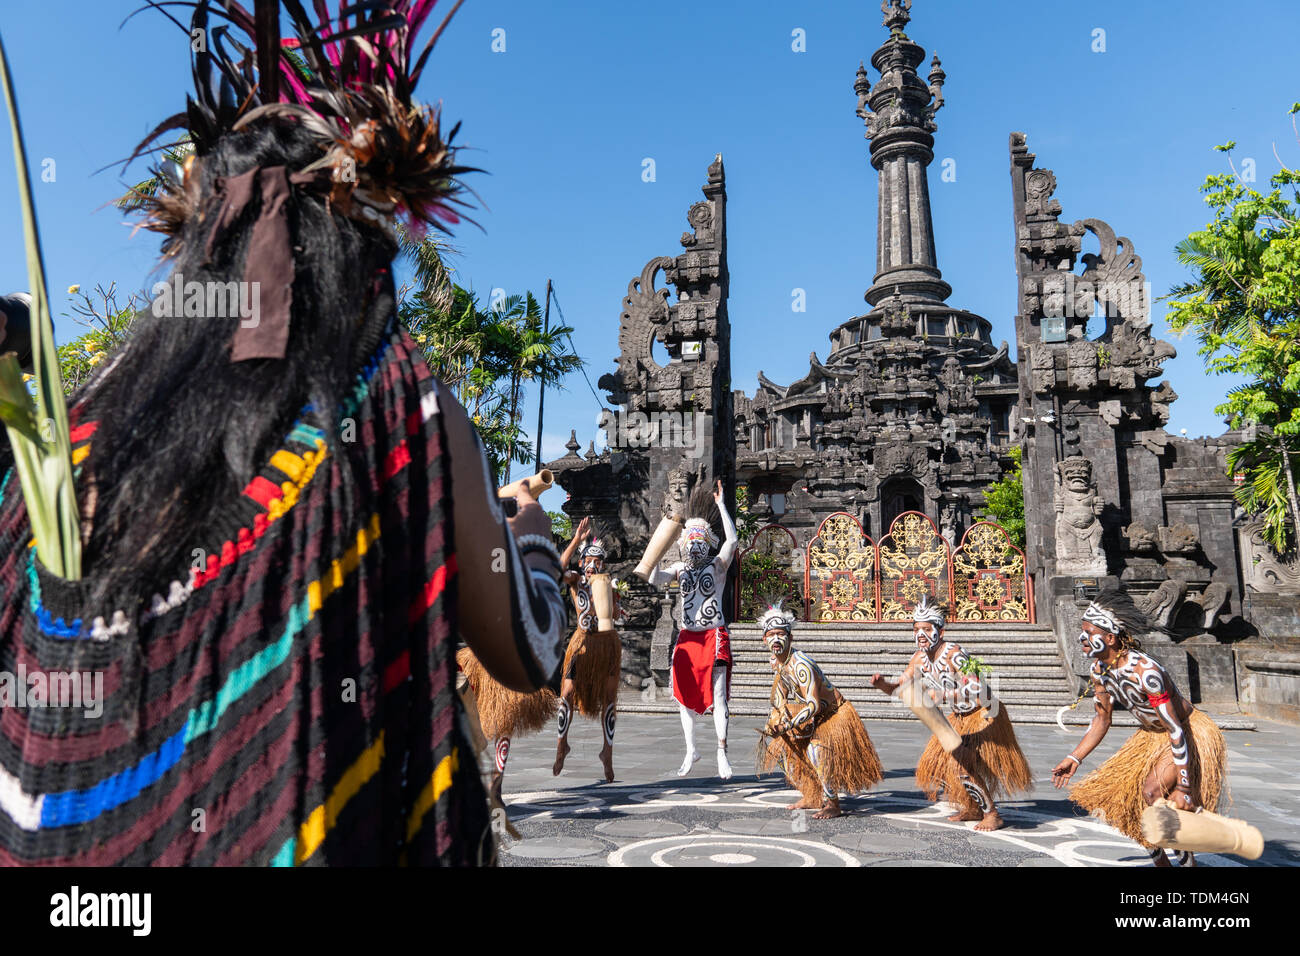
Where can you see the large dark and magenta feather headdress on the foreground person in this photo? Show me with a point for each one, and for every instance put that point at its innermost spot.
(346, 77)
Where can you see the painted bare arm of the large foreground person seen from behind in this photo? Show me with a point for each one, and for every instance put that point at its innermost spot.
(510, 605)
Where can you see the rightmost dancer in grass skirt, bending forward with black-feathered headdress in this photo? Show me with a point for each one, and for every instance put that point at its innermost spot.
(1178, 754)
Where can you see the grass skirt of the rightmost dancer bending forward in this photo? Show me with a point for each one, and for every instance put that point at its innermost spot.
(1113, 791)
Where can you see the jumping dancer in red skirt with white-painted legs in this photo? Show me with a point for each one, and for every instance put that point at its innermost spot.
(701, 660)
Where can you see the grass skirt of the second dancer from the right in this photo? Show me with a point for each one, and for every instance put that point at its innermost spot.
(1000, 762)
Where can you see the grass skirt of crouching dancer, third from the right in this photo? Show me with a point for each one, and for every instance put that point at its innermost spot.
(852, 763)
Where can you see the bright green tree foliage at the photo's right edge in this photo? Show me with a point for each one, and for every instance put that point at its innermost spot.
(1243, 308)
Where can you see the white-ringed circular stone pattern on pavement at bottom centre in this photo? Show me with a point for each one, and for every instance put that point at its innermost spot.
(727, 850)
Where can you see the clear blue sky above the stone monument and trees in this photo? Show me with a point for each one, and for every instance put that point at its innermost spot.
(586, 92)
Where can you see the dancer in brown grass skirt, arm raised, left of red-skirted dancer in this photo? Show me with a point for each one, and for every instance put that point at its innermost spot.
(595, 656)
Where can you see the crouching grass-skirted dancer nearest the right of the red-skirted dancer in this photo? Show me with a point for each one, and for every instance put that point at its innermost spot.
(814, 736)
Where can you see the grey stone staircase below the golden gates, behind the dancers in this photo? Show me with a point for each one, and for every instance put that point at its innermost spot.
(1028, 669)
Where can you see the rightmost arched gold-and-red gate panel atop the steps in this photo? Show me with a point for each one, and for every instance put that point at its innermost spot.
(989, 577)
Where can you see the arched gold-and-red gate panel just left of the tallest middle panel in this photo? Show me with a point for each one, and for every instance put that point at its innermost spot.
(840, 582)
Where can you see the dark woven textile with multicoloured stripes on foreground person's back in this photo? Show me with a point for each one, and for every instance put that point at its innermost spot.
(287, 702)
